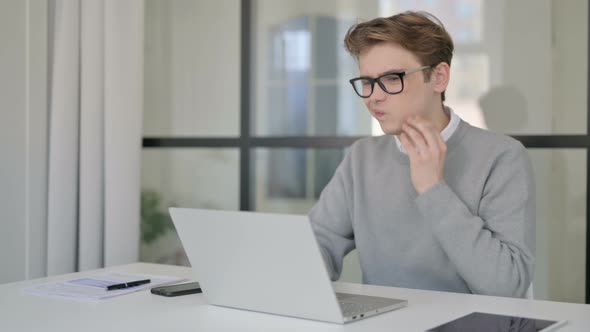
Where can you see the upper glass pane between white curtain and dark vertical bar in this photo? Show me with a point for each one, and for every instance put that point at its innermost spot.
(192, 71)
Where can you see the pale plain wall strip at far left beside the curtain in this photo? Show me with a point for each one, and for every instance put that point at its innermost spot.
(23, 118)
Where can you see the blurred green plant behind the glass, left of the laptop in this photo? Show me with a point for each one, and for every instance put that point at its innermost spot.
(154, 222)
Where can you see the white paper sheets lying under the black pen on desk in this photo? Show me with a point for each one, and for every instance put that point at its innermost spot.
(95, 287)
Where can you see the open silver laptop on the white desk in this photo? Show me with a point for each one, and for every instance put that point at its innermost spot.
(268, 263)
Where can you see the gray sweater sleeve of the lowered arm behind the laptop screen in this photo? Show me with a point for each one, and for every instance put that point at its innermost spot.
(331, 219)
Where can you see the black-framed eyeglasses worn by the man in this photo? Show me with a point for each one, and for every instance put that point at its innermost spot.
(392, 83)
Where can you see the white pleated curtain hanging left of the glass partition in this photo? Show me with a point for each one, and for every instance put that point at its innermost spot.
(95, 88)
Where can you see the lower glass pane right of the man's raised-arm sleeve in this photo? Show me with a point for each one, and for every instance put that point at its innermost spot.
(561, 224)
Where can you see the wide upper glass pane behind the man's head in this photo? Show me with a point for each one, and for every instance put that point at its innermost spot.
(497, 81)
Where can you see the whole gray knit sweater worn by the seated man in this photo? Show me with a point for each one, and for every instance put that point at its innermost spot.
(474, 232)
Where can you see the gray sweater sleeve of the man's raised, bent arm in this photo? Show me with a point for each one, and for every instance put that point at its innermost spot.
(494, 249)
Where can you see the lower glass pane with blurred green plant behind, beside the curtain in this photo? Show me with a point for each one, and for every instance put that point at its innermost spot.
(193, 178)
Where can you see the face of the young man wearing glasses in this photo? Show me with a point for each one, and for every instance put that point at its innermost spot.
(392, 110)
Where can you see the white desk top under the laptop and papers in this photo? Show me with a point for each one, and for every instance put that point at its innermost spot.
(143, 311)
